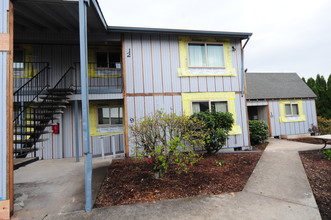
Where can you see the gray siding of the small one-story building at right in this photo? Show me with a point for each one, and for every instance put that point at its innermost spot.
(289, 128)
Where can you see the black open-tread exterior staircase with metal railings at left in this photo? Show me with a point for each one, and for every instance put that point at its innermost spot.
(35, 111)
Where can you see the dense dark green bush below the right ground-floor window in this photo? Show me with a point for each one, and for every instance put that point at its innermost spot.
(217, 126)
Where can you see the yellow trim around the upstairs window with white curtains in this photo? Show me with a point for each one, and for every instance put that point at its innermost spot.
(183, 51)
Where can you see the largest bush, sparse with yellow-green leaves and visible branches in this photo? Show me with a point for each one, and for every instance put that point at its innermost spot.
(168, 139)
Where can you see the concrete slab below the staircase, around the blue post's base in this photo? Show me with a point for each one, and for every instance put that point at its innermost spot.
(54, 186)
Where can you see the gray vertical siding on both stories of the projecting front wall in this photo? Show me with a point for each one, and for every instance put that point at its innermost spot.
(153, 68)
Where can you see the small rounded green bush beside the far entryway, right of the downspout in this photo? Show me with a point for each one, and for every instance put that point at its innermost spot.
(258, 131)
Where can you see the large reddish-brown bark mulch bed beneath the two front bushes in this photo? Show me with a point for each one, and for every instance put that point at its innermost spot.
(130, 180)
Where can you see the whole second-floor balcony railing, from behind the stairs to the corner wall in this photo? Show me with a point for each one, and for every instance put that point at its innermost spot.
(100, 79)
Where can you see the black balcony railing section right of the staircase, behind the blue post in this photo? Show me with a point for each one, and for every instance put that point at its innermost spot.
(100, 79)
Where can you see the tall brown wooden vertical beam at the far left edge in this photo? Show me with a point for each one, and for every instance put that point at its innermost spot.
(10, 110)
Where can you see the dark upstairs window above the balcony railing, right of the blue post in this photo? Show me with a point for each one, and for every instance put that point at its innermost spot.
(108, 60)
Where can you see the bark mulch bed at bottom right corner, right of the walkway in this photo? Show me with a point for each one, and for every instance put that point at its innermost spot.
(318, 170)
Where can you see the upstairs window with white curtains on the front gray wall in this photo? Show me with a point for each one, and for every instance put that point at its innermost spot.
(205, 55)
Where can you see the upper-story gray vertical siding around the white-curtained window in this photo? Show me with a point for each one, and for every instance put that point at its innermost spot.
(152, 67)
